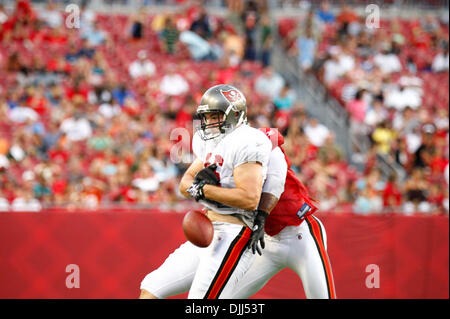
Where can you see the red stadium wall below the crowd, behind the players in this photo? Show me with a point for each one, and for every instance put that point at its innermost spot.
(115, 250)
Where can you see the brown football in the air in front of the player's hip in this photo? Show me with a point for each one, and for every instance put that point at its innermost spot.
(197, 228)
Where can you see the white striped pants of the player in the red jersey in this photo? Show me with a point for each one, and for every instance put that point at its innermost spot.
(301, 248)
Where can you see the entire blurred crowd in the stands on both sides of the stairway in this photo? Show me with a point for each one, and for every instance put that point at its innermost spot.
(95, 115)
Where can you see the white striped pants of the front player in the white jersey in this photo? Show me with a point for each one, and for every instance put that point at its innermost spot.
(208, 273)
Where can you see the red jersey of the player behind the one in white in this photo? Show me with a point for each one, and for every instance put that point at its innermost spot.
(294, 203)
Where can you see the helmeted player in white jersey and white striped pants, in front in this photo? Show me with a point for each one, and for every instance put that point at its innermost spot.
(227, 178)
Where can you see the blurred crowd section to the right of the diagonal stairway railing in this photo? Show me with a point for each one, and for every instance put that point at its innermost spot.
(393, 80)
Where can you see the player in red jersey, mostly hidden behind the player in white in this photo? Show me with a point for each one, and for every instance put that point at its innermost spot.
(294, 237)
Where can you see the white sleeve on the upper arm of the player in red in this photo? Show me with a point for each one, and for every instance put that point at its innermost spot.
(276, 173)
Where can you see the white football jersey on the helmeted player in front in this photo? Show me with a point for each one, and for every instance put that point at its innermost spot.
(243, 145)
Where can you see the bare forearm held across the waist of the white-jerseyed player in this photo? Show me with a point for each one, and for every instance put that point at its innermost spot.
(234, 197)
